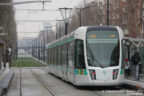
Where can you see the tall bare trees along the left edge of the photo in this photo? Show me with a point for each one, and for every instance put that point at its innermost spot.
(8, 22)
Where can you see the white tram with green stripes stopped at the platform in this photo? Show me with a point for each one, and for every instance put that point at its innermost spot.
(89, 56)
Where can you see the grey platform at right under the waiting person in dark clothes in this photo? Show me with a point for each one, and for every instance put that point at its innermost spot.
(137, 83)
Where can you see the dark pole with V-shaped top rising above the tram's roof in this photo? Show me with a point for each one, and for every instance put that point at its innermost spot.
(65, 12)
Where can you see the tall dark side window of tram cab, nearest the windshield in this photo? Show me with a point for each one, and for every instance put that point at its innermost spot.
(79, 54)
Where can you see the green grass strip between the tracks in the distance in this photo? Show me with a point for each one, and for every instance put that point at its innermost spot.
(27, 62)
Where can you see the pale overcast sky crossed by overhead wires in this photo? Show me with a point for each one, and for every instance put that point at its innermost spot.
(38, 15)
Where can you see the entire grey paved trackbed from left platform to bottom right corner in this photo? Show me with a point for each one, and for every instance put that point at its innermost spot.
(32, 87)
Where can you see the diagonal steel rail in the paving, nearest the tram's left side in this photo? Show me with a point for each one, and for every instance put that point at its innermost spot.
(43, 82)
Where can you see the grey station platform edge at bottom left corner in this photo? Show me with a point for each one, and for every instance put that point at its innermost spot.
(6, 76)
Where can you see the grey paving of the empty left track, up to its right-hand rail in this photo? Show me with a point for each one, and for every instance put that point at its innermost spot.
(30, 85)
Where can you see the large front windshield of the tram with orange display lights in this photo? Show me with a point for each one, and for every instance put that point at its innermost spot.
(102, 48)
